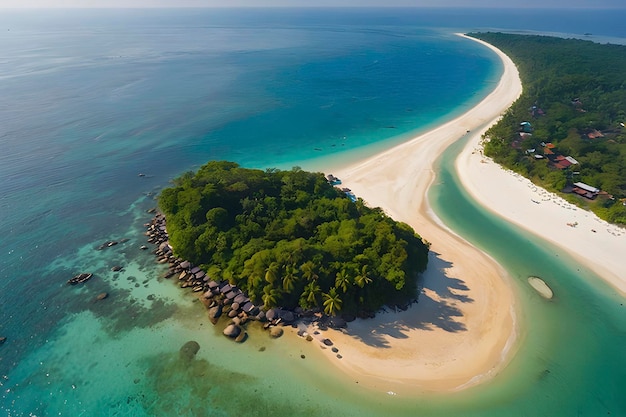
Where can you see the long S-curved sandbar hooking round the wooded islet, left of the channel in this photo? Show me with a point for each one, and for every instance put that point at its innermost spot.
(463, 328)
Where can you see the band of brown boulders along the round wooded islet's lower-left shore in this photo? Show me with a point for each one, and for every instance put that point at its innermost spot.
(219, 297)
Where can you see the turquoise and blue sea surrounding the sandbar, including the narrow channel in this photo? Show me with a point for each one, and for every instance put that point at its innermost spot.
(93, 98)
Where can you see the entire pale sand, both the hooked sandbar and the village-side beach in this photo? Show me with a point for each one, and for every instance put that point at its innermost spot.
(463, 329)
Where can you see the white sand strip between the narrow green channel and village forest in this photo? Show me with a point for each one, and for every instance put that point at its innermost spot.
(591, 241)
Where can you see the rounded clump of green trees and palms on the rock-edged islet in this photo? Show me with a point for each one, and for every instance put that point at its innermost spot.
(289, 238)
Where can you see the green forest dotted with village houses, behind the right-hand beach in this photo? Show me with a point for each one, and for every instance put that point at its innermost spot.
(568, 125)
